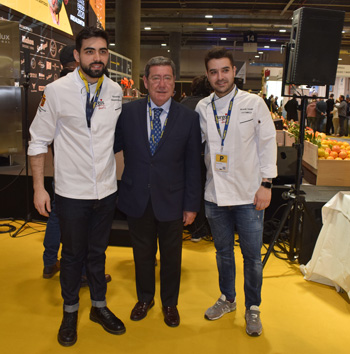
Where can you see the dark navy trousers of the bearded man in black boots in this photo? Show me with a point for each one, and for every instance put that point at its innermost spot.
(85, 228)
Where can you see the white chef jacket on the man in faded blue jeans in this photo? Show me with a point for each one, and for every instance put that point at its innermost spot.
(250, 145)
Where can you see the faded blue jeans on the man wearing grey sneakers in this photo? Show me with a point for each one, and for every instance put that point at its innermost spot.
(248, 223)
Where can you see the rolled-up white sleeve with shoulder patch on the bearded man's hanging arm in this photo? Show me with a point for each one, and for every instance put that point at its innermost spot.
(43, 127)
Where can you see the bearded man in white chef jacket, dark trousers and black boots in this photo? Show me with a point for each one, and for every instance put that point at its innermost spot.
(79, 113)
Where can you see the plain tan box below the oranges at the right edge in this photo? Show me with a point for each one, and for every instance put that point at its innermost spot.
(324, 172)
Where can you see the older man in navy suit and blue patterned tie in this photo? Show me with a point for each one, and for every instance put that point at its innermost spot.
(160, 187)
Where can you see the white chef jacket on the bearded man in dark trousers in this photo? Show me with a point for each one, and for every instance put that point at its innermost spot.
(84, 160)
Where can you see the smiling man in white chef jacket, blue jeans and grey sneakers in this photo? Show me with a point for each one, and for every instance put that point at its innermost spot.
(240, 156)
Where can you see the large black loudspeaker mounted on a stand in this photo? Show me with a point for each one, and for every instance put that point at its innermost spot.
(313, 51)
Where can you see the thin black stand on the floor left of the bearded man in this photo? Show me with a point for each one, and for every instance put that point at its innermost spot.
(28, 217)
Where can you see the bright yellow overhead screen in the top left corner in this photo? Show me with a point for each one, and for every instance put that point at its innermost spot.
(65, 15)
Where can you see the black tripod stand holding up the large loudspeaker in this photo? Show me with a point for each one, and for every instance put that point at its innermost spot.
(296, 203)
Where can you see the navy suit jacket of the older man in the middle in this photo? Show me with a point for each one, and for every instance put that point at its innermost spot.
(172, 176)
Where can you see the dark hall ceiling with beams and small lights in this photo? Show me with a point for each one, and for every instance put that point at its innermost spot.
(230, 20)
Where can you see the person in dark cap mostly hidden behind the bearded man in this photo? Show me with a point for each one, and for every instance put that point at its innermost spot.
(52, 237)
